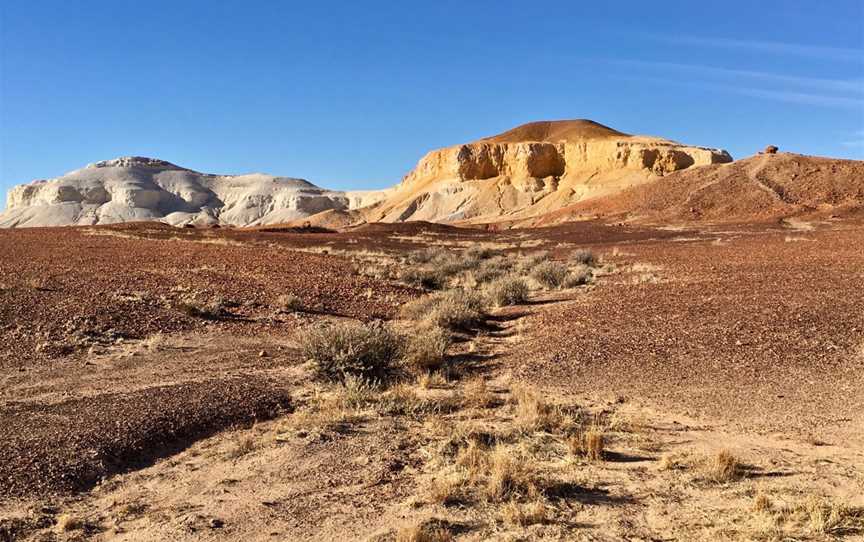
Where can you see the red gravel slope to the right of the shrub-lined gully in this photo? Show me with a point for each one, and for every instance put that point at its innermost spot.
(758, 328)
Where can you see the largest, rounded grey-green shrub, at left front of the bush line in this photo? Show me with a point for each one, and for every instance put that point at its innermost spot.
(366, 351)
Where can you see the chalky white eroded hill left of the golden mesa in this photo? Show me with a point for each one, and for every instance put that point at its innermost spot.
(136, 188)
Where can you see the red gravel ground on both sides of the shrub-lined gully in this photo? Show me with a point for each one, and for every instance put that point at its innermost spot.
(760, 328)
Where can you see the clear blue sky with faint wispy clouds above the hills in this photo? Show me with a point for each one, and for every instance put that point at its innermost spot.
(352, 94)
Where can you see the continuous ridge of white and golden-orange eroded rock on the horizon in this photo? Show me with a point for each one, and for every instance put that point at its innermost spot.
(529, 171)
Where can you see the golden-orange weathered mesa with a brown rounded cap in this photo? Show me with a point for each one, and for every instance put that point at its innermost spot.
(505, 175)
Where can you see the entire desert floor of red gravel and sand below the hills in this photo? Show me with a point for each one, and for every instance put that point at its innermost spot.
(689, 384)
